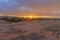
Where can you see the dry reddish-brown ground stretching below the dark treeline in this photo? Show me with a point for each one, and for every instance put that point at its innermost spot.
(30, 30)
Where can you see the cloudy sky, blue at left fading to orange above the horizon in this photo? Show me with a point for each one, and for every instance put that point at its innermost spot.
(24, 7)
